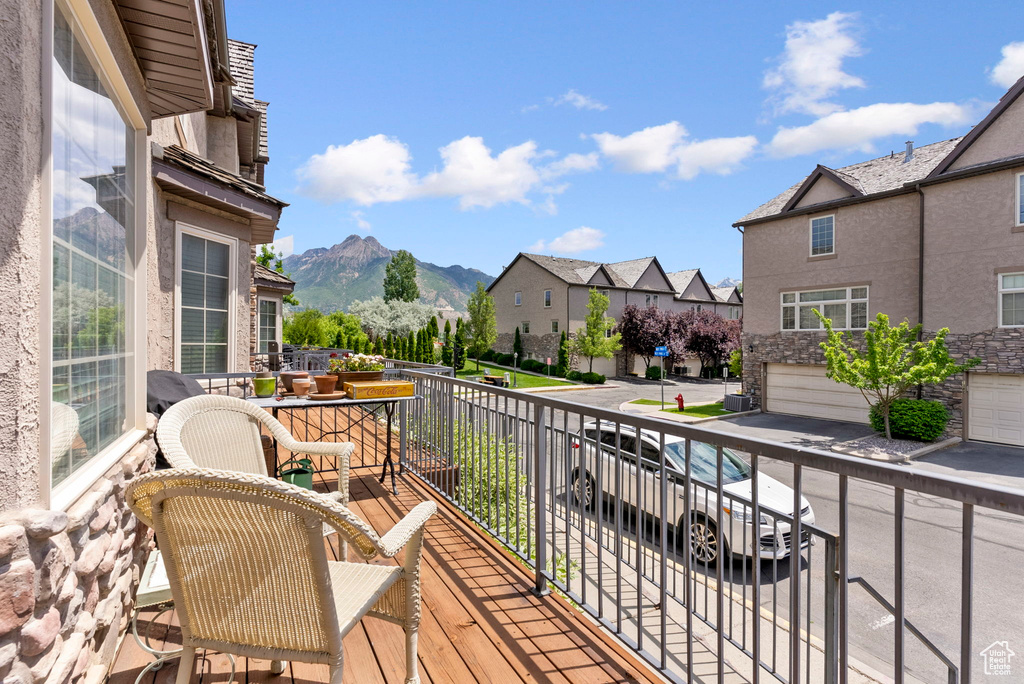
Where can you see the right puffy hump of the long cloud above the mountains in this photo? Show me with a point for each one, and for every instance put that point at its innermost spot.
(480, 180)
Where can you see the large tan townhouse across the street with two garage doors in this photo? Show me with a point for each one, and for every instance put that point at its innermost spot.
(932, 235)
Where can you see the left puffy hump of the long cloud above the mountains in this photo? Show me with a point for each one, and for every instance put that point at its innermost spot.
(367, 172)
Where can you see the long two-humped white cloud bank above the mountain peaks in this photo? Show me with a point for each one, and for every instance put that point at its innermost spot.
(379, 169)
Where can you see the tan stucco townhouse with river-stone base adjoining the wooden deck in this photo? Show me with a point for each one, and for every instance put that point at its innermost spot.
(134, 159)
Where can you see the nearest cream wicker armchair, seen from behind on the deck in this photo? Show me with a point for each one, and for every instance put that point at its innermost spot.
(250, 575)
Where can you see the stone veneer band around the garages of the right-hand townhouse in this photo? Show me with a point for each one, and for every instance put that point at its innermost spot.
(1001, 351)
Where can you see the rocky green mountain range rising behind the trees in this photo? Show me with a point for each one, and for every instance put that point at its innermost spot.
(330, 279)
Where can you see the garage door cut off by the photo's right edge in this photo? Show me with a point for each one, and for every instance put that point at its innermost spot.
(996, 408)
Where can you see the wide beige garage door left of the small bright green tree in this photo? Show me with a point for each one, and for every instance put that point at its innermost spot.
(804, 391)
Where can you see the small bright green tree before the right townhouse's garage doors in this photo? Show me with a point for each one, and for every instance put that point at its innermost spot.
(894, 361)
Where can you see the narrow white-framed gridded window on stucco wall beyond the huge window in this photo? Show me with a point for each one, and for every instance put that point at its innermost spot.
(205, 287)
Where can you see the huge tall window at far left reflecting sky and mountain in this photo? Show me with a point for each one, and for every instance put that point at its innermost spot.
(94, 196)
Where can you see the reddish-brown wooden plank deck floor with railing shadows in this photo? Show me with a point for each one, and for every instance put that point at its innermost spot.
(481, 622)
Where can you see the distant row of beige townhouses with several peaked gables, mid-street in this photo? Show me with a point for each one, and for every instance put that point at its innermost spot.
(545, 295)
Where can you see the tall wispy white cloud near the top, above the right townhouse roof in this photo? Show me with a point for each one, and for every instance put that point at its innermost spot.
(810, 69)
